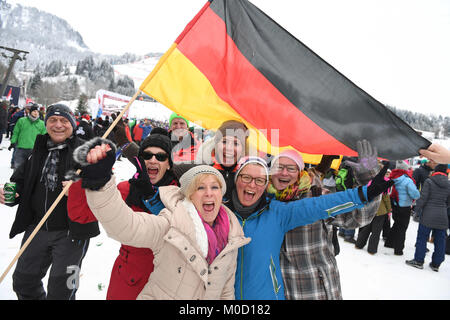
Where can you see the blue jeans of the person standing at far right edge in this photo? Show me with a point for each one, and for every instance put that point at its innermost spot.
(423, 234)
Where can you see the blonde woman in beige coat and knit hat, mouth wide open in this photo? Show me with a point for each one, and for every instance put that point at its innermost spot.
(195, 239)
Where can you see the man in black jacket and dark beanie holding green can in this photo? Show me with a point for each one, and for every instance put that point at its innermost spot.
(60, 243)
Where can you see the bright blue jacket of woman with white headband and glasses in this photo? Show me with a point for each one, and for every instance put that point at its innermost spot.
(258, 275)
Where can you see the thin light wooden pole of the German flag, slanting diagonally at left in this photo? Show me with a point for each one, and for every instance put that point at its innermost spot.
(63, 192)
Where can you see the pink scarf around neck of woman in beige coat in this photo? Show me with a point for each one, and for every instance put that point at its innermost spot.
(217, 234)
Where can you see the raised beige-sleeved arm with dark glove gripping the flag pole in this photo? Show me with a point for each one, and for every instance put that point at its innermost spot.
(97, 157)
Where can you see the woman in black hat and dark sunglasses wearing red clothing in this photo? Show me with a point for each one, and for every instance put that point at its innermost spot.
(133, 266)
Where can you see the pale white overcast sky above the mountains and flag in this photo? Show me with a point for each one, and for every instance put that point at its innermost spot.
(396, 50)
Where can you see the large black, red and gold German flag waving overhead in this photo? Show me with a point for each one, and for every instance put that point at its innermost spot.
(232, 61)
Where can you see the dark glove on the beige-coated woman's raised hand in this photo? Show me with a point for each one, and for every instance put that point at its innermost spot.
(95, 176)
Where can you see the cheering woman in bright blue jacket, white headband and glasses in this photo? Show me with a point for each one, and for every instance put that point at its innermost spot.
(266, 221)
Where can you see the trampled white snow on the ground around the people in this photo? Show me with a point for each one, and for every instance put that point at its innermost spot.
(383, 276)
